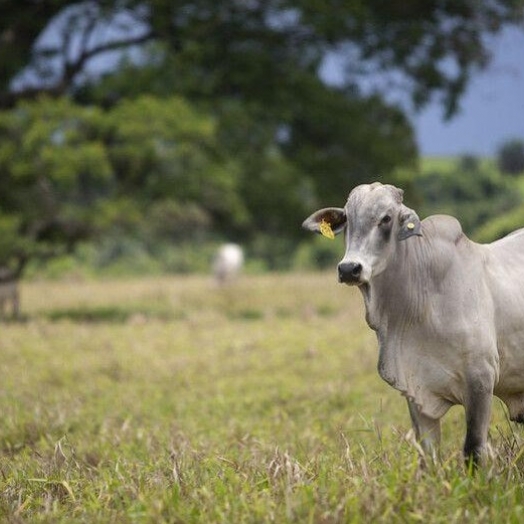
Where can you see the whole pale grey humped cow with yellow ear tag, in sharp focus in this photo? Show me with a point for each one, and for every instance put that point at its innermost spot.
(448, 313)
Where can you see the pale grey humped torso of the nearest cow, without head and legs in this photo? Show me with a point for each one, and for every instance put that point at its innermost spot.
(462, 312)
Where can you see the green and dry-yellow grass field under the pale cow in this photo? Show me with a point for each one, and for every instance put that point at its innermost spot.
(169, 400)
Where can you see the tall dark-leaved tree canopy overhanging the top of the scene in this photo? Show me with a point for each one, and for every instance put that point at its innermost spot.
(267, 54)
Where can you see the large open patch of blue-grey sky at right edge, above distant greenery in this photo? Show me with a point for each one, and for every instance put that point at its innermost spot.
(492, 110)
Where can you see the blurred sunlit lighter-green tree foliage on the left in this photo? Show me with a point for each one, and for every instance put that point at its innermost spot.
(69, 172)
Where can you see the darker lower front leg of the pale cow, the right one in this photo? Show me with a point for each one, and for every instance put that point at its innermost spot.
(478, 399)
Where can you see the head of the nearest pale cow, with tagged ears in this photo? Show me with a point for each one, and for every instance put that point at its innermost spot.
(374, 220)
